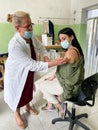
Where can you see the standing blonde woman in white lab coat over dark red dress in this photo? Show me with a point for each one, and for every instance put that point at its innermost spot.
(21, 65)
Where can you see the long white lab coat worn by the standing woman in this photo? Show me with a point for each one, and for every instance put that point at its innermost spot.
(17, 66)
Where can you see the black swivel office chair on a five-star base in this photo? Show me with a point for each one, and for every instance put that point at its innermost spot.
(85, 97)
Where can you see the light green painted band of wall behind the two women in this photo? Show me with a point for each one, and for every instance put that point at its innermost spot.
(7, 31)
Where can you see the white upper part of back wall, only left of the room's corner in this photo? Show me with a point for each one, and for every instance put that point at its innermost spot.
(36, 8)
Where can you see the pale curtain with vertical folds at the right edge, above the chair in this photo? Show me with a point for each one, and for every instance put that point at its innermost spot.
(91, 55)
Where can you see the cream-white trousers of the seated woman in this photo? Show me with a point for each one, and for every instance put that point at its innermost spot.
(49, 89)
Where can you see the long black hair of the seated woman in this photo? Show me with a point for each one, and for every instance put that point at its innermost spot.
(68, 31)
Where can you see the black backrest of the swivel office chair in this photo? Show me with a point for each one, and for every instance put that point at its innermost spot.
(89, 88)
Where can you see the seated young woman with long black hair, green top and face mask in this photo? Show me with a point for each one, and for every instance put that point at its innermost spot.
(66, 82)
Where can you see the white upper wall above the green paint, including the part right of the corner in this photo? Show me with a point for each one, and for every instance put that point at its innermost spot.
(47, 8)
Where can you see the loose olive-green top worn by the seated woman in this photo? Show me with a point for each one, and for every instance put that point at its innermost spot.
(70, 77)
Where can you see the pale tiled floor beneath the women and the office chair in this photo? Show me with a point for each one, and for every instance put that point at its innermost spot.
(43, 120)
